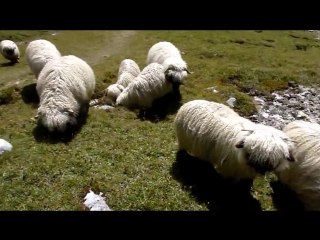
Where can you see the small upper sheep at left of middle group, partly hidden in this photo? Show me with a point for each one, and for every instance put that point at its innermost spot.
(128, 70)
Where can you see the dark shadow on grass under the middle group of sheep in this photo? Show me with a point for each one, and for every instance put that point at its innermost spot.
(167, 105)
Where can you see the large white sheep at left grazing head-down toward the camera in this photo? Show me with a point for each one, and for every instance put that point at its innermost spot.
(65, 87)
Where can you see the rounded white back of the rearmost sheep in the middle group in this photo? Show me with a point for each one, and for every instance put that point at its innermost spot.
(159, 52)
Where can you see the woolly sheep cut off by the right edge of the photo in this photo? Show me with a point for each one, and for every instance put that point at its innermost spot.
(303, 176)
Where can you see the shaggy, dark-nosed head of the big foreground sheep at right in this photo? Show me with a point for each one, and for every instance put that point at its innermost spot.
(267, 149)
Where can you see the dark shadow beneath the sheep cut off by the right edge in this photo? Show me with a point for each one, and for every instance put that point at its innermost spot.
(284, 199)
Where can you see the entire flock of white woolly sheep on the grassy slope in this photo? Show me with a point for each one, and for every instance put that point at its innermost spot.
(238, 148)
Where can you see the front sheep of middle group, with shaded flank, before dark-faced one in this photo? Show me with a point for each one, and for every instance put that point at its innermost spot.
(151, 84)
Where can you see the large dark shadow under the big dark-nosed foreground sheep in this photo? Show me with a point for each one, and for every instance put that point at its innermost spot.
(207, 186)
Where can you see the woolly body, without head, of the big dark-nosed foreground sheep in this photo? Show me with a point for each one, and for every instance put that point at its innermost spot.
(200, 123)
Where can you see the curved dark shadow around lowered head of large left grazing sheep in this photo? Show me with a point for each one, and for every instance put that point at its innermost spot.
(42, 134)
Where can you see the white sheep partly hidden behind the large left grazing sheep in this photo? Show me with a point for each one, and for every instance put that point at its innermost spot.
(39, 53)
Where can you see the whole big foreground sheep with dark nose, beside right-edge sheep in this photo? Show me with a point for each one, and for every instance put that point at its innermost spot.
(238, 148)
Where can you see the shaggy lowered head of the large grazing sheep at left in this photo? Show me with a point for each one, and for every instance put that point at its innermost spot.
(55, 119)
